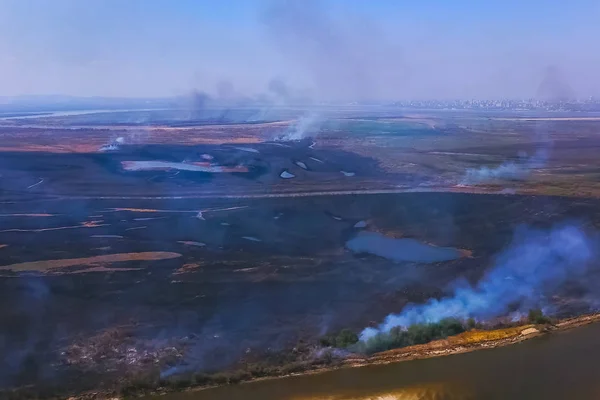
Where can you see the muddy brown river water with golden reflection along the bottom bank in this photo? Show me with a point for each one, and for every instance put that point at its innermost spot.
(559, 366)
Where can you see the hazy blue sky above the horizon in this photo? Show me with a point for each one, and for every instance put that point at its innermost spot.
(331, 49)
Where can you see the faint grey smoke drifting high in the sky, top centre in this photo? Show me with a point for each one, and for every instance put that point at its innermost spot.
(342, 58)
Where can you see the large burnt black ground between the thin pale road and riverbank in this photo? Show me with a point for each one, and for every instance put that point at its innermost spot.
(297, 282)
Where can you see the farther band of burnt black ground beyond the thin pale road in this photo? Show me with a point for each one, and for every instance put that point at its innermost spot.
(102, 174)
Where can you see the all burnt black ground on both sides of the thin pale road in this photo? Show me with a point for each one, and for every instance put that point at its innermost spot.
(295, 281)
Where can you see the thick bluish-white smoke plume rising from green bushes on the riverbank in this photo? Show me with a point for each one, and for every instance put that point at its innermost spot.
(534, 265)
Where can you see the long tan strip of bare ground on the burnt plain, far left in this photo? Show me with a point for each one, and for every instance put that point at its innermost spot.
(49, 265)
